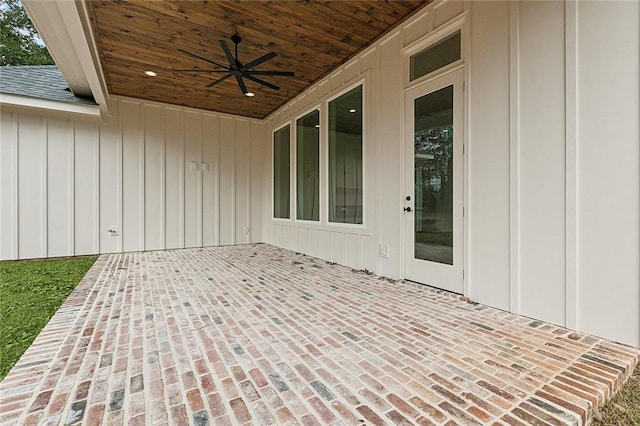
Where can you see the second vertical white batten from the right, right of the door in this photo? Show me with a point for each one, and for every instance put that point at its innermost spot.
(514, 159)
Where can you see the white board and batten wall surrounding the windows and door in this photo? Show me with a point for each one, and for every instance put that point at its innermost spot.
(552, 166)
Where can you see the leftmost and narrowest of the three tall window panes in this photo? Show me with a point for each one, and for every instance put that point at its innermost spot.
(281, 167)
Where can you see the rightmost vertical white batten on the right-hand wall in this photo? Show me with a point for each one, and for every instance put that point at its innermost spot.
(571, 157)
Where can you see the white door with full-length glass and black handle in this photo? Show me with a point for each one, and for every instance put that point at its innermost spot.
(434, 183)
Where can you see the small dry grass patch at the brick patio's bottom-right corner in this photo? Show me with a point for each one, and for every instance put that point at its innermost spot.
(624, 408)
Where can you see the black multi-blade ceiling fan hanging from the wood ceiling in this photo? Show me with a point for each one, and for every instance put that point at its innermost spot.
(239, 70)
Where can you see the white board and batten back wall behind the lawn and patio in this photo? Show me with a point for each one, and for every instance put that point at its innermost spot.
(164, 176)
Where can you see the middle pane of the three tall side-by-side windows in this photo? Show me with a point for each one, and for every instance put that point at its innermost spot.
(307, 167)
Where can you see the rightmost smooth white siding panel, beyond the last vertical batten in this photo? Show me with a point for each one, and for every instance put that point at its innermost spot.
(606, 170)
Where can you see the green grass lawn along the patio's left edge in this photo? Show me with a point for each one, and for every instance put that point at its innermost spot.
(31, 291)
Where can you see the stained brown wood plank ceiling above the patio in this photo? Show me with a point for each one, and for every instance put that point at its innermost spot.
(311, 38)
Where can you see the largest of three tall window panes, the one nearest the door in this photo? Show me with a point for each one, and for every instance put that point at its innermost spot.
(345, 158)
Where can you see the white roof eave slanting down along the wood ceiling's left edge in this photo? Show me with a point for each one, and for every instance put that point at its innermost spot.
(63, 26)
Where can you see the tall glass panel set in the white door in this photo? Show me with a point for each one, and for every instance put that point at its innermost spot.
(433, 178)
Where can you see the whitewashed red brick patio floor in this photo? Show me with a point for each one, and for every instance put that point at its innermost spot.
(259, 335)
